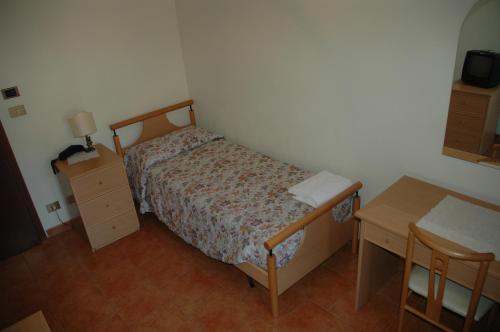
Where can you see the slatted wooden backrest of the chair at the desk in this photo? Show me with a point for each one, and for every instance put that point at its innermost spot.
(440, 258)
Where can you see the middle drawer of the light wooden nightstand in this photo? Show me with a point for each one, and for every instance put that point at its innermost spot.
(106, 206)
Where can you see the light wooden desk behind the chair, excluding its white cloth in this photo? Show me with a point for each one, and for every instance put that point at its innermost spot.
(384, 232)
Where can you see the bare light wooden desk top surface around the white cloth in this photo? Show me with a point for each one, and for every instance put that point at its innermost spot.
(408, 200)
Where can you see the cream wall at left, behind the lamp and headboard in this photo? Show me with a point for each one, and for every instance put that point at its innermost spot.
(116, 58)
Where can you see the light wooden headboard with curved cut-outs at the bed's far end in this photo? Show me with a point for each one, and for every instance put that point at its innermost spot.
(154, 124)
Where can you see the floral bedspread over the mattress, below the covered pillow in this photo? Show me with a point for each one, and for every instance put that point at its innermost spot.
(227, 201)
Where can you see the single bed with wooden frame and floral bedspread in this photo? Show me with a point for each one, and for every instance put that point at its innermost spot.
(232, 203)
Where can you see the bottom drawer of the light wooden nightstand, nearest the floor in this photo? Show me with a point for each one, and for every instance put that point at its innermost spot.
(112, 229)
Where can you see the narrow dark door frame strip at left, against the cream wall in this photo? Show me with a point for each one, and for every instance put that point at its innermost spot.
(18, 178)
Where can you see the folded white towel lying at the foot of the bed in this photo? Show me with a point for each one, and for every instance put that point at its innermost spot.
(319, 188)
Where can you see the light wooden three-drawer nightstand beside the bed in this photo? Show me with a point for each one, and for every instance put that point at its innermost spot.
(103, 197)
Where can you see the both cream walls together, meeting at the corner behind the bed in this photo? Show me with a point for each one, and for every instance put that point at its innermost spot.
(356, 87)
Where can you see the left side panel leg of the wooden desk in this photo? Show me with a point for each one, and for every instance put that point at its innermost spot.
(375, 267)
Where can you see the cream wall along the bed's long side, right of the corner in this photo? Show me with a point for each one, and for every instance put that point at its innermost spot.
(357, 87)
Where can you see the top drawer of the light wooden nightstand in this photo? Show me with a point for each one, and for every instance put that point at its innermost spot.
(103, 180)
